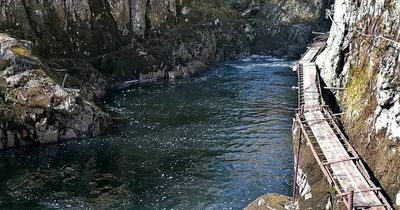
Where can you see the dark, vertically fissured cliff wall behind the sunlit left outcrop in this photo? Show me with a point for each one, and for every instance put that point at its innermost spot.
(66, 28)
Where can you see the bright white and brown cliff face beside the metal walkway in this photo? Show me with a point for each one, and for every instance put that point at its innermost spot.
(363, 55)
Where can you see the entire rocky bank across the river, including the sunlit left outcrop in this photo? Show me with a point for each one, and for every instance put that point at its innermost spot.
(100, 44)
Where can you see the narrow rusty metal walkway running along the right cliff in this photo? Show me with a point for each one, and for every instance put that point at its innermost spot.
(338, 160)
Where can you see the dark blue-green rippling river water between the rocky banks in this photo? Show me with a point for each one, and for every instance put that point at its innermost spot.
(217, 141)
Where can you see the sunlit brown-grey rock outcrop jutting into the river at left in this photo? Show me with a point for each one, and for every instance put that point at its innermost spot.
(33, 107)
